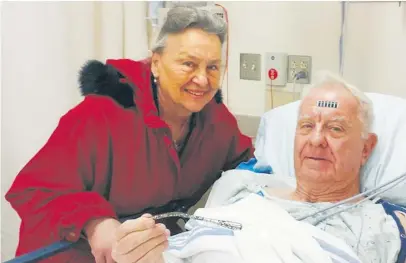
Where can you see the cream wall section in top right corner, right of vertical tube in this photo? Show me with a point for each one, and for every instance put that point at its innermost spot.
(375, 58)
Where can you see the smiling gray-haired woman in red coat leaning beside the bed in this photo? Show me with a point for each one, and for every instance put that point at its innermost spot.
(149, 134)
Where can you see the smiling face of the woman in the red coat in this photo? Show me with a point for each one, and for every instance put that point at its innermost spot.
(188, 69)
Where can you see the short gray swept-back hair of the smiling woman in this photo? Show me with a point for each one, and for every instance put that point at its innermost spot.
(181, 18)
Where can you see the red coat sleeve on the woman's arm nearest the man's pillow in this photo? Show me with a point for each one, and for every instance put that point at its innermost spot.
(241, 148)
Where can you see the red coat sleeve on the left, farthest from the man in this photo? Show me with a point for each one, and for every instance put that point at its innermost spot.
(54, 194)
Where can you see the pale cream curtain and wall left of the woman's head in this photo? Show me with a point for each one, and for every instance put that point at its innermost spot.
(44, 44)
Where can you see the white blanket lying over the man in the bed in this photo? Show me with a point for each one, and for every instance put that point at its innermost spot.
(269, 234)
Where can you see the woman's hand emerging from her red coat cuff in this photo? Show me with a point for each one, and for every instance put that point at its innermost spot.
(101, 236)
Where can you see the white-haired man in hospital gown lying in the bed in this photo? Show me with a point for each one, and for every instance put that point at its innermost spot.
(332, 143)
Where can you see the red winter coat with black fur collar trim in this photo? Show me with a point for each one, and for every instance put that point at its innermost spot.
(112, 156)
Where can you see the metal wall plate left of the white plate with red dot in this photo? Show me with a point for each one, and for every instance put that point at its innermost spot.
(250, 66)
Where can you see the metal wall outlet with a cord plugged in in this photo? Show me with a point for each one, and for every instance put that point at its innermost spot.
(296, 64)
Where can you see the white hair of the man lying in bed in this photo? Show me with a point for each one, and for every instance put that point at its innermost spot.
(365, 114)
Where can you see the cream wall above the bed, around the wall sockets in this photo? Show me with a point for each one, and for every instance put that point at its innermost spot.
(374, 51)
